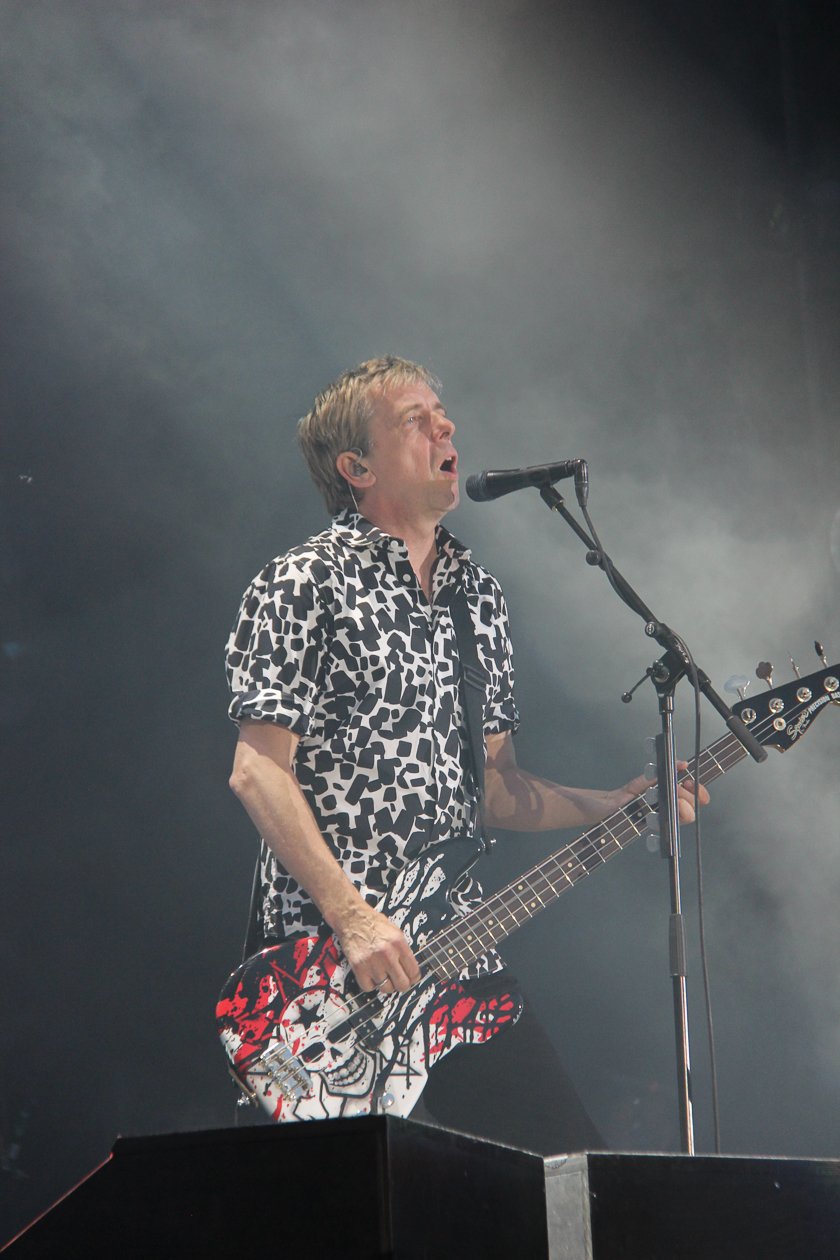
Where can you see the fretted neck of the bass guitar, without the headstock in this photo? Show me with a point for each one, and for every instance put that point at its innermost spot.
(470, 937)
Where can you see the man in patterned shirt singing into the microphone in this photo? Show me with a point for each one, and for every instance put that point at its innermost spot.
(353, 755)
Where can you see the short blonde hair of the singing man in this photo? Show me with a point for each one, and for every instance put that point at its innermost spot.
(339, 420)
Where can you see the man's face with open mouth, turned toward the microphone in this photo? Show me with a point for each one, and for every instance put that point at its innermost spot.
(411, 455)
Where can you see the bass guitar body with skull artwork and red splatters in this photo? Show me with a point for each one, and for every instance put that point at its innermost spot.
(307, 1044)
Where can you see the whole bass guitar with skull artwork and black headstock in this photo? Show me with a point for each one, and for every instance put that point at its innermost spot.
(304, 1043)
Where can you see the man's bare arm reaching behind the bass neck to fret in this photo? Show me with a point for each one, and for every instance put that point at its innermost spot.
(521, 802)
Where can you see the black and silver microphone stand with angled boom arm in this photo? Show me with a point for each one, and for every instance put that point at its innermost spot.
(666, 675)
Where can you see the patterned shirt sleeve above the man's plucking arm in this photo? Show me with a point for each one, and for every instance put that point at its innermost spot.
(278, 650)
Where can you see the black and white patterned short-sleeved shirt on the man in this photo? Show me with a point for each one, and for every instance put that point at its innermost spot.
(337, 642)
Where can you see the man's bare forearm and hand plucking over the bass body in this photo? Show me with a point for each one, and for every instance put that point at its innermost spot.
(264, 779)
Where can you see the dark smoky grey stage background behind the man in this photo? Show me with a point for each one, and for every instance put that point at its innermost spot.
(613, 229)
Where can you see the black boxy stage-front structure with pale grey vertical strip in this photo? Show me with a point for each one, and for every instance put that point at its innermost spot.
(387, 1188)
